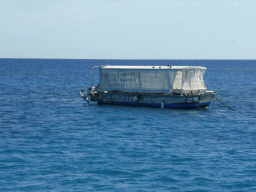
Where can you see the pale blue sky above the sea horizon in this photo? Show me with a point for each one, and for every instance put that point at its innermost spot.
(128, 29)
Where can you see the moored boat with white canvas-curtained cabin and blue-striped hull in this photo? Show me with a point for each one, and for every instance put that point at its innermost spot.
(152, 86)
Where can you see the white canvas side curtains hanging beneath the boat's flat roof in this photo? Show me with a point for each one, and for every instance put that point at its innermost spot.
(150, 80)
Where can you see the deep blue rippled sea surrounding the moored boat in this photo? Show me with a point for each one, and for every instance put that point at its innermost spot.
(52, 140)
